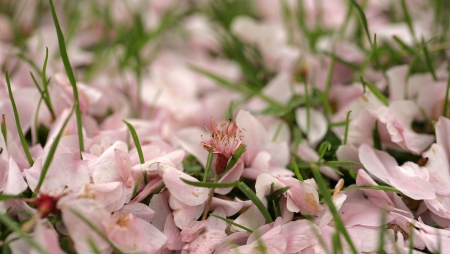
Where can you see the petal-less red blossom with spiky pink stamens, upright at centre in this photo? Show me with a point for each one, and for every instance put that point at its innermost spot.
(225, 140)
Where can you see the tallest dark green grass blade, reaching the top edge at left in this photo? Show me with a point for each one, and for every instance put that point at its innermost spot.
(70, 75)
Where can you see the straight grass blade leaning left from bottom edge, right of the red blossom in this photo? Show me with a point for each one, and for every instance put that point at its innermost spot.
(337, 218)
